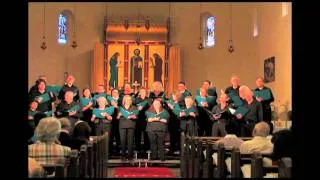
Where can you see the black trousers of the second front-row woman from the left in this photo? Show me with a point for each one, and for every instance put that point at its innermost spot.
(126, 137)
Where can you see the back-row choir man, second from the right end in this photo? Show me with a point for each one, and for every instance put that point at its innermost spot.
(233, 91)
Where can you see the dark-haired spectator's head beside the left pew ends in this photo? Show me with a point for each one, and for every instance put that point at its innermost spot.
(81, 134)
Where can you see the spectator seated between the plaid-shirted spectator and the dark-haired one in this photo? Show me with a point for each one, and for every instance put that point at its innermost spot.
(65, 137)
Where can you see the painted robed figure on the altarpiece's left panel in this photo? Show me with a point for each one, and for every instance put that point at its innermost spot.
(114, 66)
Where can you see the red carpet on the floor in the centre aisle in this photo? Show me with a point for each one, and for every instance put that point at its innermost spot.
(128, 172)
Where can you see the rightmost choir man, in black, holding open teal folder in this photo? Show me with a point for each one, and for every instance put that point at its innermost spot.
(264, 95)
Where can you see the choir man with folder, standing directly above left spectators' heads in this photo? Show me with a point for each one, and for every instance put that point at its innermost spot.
(69, 108)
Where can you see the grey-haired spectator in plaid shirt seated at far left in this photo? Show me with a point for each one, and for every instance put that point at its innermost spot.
(45, 151)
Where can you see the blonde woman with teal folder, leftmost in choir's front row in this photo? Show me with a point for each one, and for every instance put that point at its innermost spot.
(102, 117)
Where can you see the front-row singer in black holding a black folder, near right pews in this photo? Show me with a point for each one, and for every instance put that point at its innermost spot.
(221, 116)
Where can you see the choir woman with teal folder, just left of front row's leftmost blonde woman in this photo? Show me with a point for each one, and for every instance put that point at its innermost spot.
(86, 102)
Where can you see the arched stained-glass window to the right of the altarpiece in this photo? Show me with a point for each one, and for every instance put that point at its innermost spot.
(208, 30)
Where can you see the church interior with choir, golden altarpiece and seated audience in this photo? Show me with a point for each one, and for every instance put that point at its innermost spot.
(208, 54)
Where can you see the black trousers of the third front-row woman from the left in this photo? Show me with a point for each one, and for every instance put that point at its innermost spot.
(157, 140)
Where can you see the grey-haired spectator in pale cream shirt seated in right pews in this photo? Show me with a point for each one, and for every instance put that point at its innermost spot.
(260, 142)
